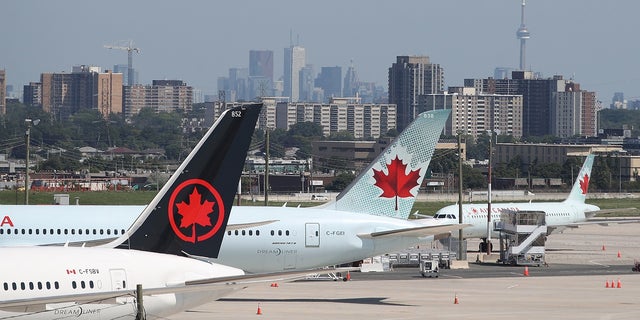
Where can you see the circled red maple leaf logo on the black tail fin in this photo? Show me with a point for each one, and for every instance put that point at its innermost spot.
(196, 211)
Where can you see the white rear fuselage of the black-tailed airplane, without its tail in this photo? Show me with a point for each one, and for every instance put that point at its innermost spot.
(42, 272)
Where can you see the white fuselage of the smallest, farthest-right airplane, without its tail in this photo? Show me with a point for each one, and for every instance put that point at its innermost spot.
(557, 214)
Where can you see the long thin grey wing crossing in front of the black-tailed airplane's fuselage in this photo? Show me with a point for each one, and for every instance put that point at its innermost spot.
(227, 284)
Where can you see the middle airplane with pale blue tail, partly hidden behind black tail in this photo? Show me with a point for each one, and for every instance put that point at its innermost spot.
(272, 239)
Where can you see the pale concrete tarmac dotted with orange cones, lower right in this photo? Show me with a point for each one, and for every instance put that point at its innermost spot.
(581, 263)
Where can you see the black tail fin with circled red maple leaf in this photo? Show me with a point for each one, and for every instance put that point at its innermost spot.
(189, 215)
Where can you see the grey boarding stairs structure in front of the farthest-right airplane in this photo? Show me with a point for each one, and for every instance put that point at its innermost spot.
(522, 237)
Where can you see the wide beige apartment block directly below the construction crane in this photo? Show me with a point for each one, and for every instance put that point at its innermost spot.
(161, 96)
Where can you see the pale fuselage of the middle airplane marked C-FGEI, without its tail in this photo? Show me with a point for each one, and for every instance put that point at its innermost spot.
(299, 238)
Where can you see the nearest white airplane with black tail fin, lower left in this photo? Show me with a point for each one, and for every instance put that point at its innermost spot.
(187, 217)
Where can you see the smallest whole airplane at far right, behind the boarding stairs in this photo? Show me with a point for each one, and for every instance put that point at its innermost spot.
(571, 212)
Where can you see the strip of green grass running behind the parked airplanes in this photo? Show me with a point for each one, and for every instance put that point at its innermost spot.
(144, 197)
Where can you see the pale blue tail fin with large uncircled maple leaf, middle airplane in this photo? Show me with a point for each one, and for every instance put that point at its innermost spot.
(389, 185)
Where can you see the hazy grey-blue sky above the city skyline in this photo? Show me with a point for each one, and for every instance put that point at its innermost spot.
(593, 41)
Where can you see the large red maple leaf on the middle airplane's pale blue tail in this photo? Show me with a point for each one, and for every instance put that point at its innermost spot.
(396, 183)
